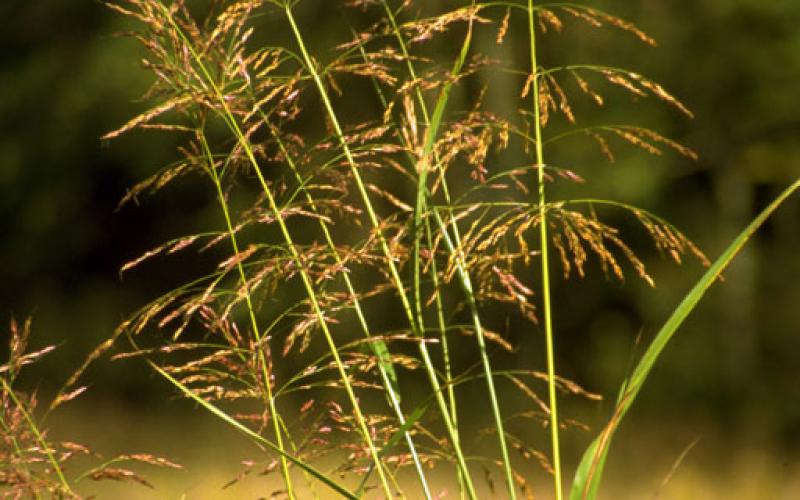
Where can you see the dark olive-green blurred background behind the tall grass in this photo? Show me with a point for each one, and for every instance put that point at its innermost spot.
(729, 382)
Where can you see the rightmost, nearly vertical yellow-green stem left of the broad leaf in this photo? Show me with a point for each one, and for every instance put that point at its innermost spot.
(548, 317)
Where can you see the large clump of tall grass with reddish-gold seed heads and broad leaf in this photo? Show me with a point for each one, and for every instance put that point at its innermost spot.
(420, 199)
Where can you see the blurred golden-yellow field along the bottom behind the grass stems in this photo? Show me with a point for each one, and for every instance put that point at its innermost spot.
(715, 469)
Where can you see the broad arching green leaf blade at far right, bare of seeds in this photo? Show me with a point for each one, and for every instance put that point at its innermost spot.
(590, 470)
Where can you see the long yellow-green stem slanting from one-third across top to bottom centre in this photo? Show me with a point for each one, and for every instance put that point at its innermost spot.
(426, 358)
